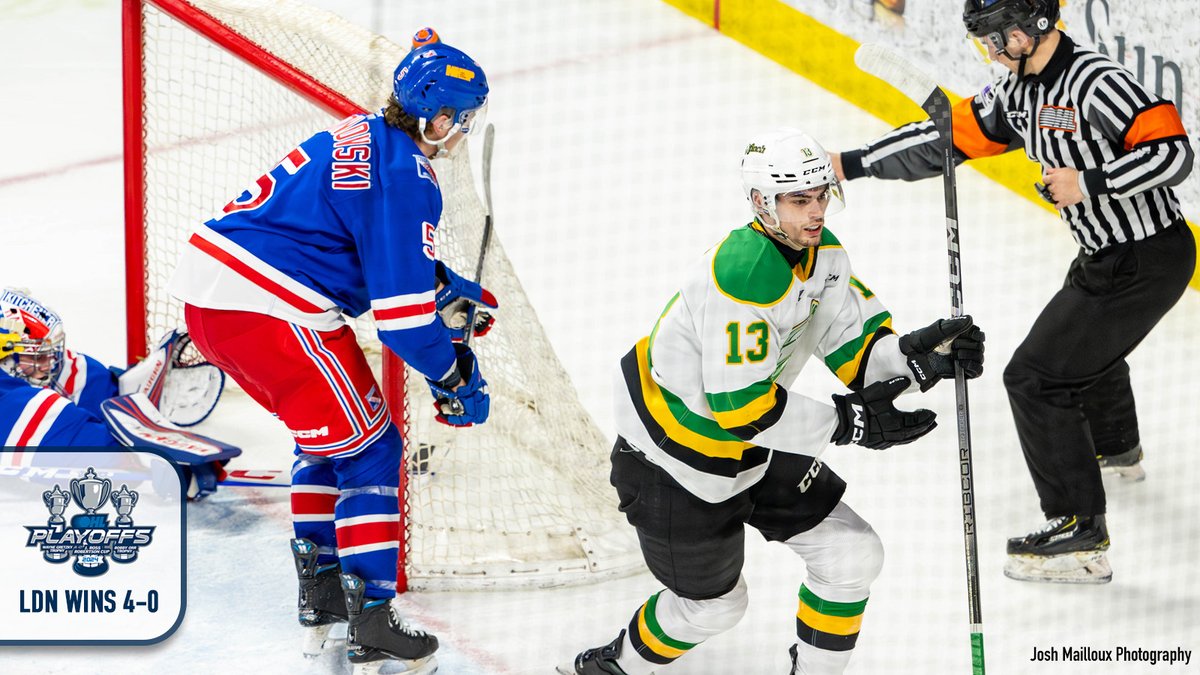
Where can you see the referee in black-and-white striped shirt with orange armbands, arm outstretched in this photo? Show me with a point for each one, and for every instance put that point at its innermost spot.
(1111, 153)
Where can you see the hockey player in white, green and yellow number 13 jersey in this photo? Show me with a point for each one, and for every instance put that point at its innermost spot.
(710, 438)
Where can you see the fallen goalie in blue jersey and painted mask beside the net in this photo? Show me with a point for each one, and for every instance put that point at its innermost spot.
(53, 397)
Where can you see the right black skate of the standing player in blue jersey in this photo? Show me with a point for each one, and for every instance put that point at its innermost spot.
(379, 636)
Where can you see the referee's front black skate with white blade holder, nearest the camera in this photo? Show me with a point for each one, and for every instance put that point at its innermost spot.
(1066, 551)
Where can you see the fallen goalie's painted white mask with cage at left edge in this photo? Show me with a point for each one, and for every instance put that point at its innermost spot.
(31, 333)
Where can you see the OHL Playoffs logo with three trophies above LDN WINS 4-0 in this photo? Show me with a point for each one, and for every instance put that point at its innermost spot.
(89, 537)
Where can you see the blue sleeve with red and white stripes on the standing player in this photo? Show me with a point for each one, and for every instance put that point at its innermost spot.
(398, 258)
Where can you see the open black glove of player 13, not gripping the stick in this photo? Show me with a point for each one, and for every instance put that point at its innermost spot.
(867, 417)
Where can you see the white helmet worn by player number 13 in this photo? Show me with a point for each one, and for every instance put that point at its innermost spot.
(787, 160)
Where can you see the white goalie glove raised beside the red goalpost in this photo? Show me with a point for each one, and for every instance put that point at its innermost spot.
(185, 393)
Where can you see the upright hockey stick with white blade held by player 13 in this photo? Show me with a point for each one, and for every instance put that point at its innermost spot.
(893, 69)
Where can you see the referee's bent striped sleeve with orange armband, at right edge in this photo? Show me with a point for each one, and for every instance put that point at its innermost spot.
(1157, 153)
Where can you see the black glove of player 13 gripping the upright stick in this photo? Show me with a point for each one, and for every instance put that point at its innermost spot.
(933, 351)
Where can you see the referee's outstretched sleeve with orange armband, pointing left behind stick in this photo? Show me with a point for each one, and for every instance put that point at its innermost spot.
(913, 153)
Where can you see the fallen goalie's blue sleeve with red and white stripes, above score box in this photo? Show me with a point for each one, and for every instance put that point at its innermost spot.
(33, 416)
